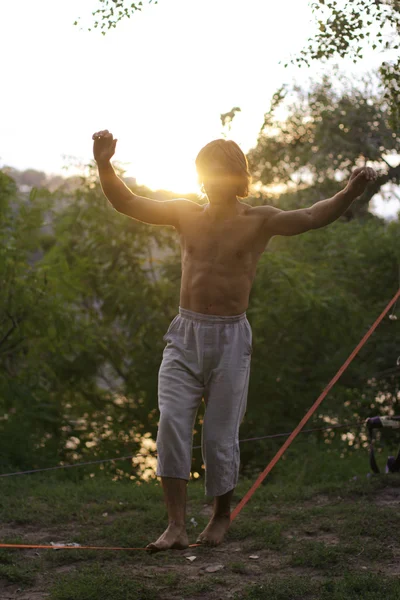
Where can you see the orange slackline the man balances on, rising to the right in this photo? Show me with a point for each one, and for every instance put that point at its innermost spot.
(273, 462)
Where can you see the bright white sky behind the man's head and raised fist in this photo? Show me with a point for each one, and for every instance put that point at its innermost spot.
(158, 81)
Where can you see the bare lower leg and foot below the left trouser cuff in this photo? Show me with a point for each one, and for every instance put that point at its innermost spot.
(175, 536)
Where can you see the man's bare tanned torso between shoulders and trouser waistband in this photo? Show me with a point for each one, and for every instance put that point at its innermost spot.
(219, 259)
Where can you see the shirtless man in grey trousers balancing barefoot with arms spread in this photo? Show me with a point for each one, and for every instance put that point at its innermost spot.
(209, 342)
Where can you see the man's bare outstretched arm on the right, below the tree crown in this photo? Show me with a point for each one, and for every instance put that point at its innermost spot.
(320, 214)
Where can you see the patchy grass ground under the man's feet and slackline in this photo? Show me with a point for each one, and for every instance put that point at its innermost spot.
(321, 536)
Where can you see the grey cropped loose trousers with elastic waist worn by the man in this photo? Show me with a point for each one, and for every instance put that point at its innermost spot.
(206, 356)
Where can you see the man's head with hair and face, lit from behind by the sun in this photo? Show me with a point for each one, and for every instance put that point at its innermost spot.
(223, 170)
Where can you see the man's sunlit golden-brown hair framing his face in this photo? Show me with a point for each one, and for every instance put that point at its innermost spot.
(230, 155)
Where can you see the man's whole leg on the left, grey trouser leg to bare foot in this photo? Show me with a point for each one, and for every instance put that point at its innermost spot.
(180, 392)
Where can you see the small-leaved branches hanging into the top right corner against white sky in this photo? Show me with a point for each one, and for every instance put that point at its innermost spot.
(344, 27)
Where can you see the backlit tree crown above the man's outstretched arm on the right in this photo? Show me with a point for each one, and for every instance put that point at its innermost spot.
(328, 131)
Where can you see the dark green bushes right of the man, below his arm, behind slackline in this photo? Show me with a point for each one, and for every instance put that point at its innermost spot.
(314, 298)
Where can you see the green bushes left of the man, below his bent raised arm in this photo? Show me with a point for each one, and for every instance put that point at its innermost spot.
(77, 360)
